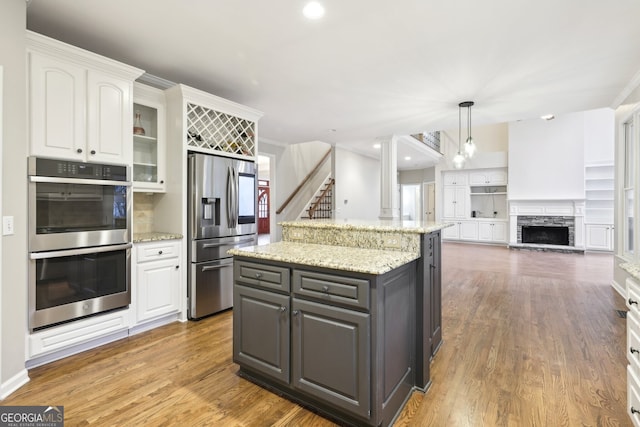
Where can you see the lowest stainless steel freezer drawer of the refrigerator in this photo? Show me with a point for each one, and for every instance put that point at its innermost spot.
(210, 287)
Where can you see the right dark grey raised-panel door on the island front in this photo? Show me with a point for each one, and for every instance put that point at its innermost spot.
(331, 355)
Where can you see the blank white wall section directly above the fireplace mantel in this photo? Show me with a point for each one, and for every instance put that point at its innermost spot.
(546, 158)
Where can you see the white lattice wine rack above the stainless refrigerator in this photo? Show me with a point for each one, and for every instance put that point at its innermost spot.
(213, 130)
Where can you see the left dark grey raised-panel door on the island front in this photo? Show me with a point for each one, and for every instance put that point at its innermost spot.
(261, 332)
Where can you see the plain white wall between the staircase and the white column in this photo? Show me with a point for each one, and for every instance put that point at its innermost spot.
(357, 191)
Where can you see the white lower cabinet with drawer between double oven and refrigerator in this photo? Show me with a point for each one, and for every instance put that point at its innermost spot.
(157, 287)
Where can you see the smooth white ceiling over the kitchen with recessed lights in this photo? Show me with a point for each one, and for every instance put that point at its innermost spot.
(370, 68)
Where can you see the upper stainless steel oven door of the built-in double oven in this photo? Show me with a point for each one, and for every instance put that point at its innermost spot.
(72, 213)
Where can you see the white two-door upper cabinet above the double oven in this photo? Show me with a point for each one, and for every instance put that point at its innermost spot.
(80, 103)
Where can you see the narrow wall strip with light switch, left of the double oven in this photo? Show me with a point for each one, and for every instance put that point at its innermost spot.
(13, 285)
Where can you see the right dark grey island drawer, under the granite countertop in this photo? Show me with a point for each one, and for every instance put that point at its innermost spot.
(330, 288)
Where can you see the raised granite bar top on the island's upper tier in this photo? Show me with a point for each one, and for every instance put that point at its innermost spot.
(392, 225)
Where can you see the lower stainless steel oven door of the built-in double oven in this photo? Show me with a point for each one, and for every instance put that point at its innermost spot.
(69, 284)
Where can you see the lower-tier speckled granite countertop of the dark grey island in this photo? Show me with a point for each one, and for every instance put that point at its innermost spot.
(370, 261)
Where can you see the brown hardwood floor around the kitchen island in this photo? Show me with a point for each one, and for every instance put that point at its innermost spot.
(530, 339)
